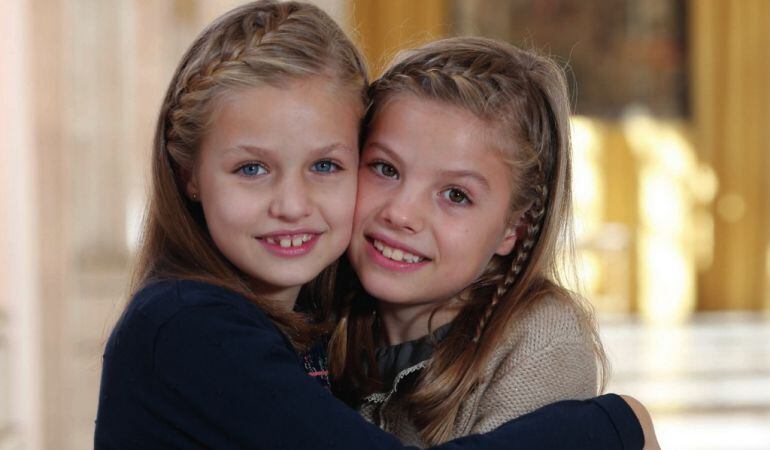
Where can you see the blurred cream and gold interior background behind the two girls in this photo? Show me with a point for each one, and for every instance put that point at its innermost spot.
(672, 190)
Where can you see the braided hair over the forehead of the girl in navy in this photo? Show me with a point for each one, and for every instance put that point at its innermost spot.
(259, 43)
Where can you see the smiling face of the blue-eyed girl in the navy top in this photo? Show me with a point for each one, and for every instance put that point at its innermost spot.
(276, 177)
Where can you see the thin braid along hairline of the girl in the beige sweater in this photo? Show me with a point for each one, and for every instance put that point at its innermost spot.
(492, 84)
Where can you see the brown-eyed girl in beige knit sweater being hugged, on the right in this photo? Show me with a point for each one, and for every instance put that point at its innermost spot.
(463, 212)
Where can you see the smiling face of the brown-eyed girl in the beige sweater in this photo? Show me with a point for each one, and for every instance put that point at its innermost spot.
(433, 203)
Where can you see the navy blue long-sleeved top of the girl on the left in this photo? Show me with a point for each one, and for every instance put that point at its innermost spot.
(191, 365)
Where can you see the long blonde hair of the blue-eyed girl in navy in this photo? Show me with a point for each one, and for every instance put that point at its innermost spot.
(264, 42)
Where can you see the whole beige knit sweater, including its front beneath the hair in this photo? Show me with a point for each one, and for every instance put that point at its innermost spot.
(546, 357)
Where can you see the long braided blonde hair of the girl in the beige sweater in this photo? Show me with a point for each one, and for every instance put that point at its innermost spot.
(524, 98)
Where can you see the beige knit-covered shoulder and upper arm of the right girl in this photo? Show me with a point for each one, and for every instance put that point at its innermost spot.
(547, 355)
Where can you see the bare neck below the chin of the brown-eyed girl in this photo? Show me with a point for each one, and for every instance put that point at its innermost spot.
(403, 323)
